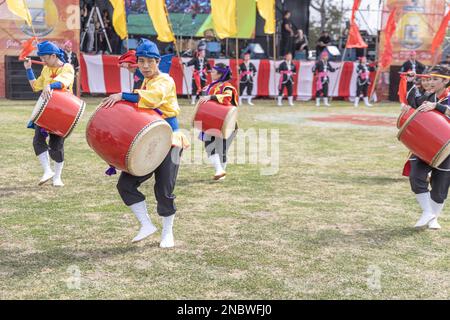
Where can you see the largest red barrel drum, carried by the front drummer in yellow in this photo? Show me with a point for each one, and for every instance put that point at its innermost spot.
(132, 139)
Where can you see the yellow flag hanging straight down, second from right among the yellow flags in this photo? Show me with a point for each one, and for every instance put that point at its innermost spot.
(224, 17)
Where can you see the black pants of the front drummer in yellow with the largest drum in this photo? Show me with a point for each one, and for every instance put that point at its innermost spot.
(165, 179)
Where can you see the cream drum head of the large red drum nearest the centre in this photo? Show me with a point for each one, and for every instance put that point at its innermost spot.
(149, 148)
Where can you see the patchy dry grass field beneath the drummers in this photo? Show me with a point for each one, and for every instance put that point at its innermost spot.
(335, 222)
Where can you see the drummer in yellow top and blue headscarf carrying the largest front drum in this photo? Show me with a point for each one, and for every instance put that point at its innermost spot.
(158, 92)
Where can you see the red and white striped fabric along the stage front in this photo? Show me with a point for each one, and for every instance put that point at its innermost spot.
(101, 74)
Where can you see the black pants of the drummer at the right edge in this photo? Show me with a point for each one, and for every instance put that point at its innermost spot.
(440, 180)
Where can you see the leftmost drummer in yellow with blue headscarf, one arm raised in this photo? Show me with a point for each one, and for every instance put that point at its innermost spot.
(56, 74)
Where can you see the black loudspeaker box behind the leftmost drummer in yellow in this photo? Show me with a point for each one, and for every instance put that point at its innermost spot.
(16, 81)
